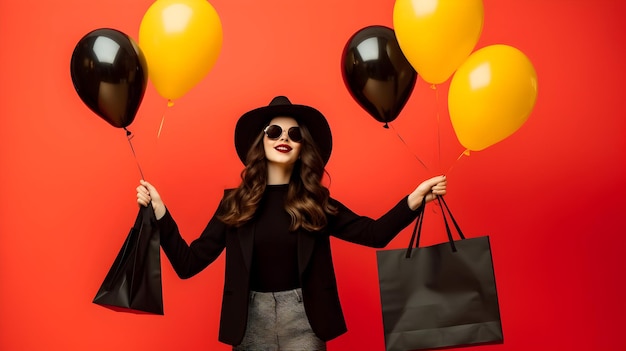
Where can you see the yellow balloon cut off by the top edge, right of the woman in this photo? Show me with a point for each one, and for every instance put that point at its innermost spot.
(436, 36)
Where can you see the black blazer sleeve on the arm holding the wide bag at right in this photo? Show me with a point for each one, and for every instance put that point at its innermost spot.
(367, 231)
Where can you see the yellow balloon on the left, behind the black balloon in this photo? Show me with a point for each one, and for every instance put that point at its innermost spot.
(181, 40)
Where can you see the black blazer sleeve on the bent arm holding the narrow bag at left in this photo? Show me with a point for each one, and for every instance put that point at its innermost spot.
(190, 259)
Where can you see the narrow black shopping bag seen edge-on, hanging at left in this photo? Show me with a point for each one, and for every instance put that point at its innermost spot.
(133, 283)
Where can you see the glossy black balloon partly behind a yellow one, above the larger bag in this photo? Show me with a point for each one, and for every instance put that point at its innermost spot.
(376, 72)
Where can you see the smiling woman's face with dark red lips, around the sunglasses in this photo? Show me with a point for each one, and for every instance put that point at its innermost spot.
(282, 150)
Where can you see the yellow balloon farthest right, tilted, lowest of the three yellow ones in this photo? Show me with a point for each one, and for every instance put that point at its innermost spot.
(491, 96)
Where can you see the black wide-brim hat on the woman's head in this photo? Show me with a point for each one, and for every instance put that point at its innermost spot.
(252, 123)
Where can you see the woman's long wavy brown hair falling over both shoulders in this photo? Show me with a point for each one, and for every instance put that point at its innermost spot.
(307, 199)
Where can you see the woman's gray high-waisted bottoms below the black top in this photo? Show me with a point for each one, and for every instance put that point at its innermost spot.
(277, 322)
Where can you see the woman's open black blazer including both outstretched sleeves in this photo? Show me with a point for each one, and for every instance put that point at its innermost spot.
(317, 275)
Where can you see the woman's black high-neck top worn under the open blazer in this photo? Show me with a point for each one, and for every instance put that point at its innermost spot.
(275, 256)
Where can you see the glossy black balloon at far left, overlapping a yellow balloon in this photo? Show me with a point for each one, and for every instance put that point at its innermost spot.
(110, 75)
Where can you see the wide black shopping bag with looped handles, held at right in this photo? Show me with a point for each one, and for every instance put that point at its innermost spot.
(439, 296)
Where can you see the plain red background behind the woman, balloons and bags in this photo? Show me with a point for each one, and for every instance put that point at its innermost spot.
(551, 196)
